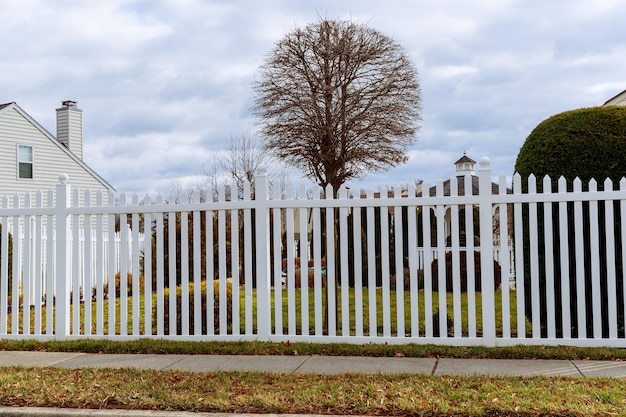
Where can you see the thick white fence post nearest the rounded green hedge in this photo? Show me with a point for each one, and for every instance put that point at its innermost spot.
(485, 207)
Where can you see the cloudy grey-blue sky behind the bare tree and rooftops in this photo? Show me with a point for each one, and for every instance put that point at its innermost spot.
(164, 84)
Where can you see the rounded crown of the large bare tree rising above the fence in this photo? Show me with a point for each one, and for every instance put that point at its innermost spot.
(338, 100)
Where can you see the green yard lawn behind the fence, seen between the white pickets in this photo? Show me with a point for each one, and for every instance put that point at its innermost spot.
(292, 312)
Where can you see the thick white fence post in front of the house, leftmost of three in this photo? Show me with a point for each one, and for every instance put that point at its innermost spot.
(63, 258)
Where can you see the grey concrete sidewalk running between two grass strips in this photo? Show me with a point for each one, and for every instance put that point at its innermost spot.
(319, 364)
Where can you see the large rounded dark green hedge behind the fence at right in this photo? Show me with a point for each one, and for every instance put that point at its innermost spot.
(588, 143)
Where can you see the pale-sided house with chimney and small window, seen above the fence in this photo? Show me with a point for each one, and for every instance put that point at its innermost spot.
(31, 158)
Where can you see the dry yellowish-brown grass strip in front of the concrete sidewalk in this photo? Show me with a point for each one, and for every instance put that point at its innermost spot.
(243, 392)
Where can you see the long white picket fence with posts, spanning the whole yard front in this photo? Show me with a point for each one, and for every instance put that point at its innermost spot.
(398, 266)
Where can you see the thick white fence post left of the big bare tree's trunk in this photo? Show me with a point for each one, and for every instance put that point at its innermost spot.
(262, 236)
